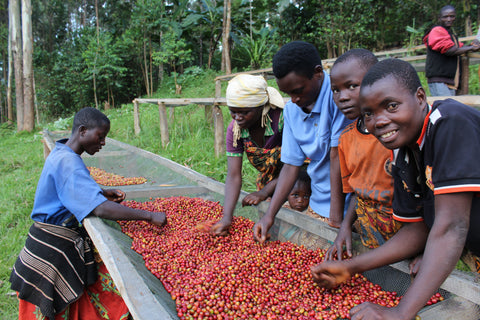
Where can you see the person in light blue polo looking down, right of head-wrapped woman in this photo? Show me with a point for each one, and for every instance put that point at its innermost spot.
(313, 125)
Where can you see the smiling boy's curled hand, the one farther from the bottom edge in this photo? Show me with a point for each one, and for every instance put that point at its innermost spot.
(330, 274)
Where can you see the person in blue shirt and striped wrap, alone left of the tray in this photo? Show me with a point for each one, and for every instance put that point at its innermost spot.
(55, 274)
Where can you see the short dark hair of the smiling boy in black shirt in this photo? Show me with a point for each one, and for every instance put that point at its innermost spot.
(401, 70)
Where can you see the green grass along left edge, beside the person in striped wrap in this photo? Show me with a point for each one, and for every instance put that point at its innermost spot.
(20, 167)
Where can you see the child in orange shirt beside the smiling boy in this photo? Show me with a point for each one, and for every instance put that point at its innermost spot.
(364, 162)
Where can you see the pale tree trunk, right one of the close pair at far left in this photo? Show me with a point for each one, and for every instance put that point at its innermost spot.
(28, 103)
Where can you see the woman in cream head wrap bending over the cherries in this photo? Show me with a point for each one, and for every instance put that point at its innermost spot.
(256, 129)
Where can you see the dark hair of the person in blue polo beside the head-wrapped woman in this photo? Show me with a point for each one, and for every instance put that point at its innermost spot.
(298, 56)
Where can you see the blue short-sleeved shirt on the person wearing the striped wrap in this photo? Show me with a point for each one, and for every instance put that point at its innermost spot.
(65, 188)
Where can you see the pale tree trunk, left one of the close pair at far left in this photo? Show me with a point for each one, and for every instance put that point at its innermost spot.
(16, 38)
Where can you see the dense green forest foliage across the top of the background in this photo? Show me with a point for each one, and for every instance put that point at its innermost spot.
(184, 34)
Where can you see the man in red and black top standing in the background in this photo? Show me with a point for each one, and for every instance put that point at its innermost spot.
(443, 65)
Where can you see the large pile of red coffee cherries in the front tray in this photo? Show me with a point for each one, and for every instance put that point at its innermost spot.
(234, 277)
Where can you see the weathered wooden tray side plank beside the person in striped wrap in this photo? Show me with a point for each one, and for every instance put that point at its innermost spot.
(137, 296)
